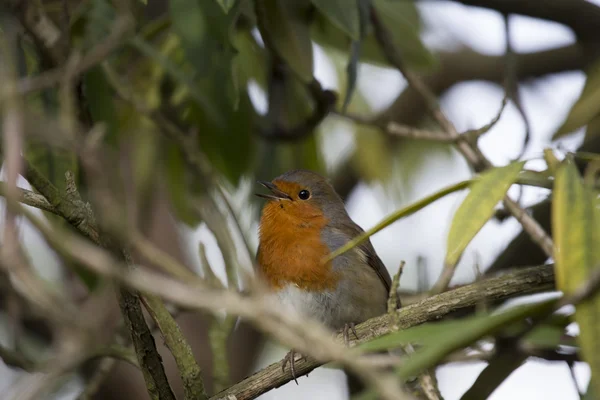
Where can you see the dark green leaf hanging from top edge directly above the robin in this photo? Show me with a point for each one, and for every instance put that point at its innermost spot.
(284, 26)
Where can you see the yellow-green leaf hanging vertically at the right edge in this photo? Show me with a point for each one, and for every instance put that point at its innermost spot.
(576, 229)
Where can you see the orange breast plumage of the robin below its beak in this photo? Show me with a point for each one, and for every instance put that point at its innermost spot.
(291, 249)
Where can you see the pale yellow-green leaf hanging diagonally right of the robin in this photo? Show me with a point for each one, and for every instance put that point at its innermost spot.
(478, 207)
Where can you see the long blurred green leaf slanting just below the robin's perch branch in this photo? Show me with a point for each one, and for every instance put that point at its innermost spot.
(472, 330)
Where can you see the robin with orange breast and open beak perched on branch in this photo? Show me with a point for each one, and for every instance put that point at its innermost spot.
(302, 222)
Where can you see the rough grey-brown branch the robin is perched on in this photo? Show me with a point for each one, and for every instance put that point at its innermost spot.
(526, 281)
